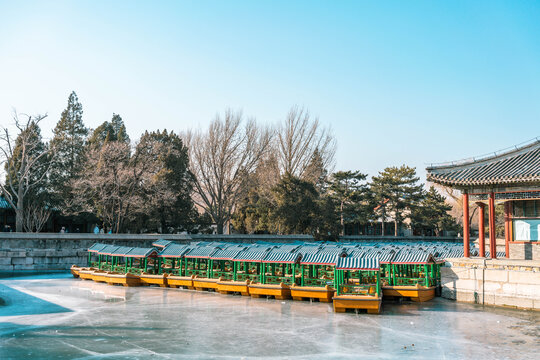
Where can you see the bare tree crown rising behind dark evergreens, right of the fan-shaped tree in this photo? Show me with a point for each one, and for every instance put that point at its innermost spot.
(299, 139)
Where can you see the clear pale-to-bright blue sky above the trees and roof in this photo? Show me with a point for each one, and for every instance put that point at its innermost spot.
(404, 82)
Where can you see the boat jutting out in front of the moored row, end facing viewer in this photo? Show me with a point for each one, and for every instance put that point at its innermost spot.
(358, 285)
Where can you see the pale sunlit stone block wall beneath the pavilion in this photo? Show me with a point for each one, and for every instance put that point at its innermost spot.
(501, 282)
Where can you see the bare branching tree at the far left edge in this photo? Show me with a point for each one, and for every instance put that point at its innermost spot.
(26, 161)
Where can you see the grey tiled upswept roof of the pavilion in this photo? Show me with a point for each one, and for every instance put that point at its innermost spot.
(518, 166)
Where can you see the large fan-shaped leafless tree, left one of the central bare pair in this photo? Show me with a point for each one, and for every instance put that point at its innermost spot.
(221, 159)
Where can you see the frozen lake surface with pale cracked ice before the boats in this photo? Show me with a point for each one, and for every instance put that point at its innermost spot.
(56, 316)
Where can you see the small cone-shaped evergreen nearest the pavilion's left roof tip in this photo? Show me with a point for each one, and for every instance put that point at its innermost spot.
(432, 214)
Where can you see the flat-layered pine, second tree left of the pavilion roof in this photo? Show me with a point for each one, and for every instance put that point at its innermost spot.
(397, 192)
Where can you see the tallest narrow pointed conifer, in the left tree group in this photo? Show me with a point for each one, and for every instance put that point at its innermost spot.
(68, 143)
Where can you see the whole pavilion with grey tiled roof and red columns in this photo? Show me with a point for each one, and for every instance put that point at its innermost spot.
(511, 177)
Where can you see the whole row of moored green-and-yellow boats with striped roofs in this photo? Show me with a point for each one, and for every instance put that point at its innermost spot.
(351, 275)
